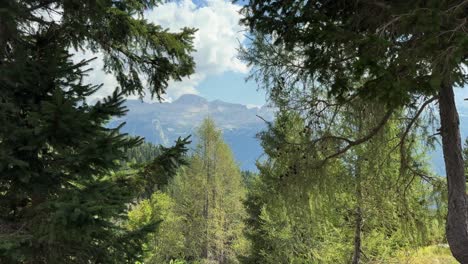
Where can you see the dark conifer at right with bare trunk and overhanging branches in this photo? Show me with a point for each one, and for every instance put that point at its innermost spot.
(403, 54)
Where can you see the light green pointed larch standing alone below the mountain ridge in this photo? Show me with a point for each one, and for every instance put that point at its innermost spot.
(208, 193)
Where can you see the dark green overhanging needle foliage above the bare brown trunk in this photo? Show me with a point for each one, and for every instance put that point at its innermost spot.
(404, 48)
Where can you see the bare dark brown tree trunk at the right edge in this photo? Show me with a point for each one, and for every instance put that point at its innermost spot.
(457, 218)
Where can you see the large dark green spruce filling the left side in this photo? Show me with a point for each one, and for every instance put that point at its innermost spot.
(59, 200)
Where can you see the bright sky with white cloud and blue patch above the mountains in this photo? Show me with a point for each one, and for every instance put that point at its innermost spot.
(219, 74)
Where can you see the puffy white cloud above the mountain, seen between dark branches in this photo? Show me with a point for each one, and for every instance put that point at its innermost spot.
(216, 43)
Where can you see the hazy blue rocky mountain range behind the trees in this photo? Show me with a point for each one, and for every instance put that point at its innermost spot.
(162, 123)
